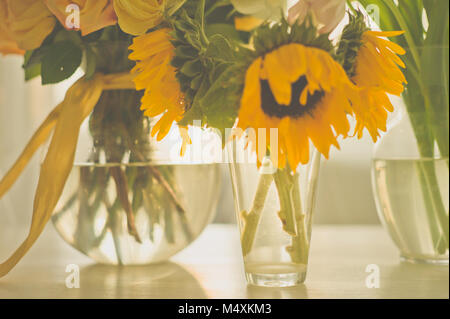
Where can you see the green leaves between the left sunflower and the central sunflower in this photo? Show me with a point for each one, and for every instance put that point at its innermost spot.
(204, 57)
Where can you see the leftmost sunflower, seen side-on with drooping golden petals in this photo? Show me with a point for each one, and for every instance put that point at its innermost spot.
(155, 74)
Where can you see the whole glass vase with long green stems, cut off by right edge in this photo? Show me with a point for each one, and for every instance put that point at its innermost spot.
(411, 161)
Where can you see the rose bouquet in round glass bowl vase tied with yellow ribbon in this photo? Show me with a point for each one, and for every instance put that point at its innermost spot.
(117, 196)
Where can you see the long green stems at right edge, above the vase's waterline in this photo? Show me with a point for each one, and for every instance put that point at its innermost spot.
(426, 60)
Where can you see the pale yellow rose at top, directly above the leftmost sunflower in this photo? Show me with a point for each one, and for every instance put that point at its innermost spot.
(137, 16)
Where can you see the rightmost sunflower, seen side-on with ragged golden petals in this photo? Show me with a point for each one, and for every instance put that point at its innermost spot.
(377, 74)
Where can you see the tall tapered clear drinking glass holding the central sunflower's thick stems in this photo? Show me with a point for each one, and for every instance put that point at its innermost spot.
(274, 211)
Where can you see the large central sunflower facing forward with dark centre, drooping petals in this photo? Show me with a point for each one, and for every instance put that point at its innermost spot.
(304, 93)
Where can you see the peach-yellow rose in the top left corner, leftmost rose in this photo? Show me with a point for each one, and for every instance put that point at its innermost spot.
(30, 22)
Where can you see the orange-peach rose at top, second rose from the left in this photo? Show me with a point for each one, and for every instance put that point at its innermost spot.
(94, 14)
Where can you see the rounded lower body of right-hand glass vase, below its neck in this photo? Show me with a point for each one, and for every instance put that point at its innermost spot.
(411, 191)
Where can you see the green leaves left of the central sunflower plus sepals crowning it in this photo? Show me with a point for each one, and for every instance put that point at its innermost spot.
(212, 61)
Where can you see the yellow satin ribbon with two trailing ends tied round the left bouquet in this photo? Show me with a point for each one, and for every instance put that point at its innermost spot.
(64, 121)
